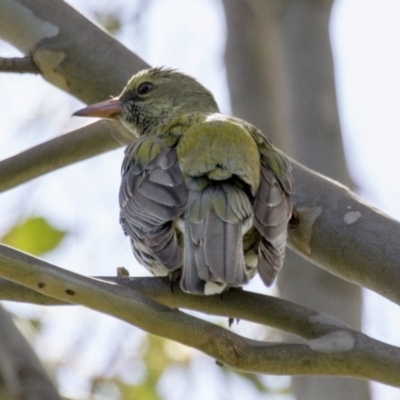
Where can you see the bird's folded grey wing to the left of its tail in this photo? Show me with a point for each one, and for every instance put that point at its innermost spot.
(152, 196)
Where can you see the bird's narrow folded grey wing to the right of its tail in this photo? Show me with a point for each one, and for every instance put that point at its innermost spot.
(272, 211)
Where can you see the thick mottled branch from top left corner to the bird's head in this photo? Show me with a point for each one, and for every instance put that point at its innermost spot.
(58, 38)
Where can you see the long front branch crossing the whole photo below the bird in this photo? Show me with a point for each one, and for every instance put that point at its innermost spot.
(338, 351)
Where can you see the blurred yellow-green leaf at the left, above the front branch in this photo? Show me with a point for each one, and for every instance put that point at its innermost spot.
(34, 235)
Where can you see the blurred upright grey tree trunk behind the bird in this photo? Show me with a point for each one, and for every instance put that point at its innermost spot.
(281, 78)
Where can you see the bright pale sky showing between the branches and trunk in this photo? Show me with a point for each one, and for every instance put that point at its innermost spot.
(366, 46)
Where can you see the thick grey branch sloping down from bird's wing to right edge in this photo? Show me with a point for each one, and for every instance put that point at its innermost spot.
(340, 233)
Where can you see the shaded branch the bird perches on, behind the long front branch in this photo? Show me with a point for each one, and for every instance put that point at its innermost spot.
(238, 304)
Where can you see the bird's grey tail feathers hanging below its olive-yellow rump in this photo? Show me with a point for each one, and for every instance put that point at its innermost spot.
(214, 223)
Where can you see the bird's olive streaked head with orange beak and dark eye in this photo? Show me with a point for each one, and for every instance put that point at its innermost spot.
(151, 97)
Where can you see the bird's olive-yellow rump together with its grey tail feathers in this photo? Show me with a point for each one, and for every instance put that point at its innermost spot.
(220, 162)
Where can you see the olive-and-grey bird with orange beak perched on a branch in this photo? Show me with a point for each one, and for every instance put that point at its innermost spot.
(204, 196)
